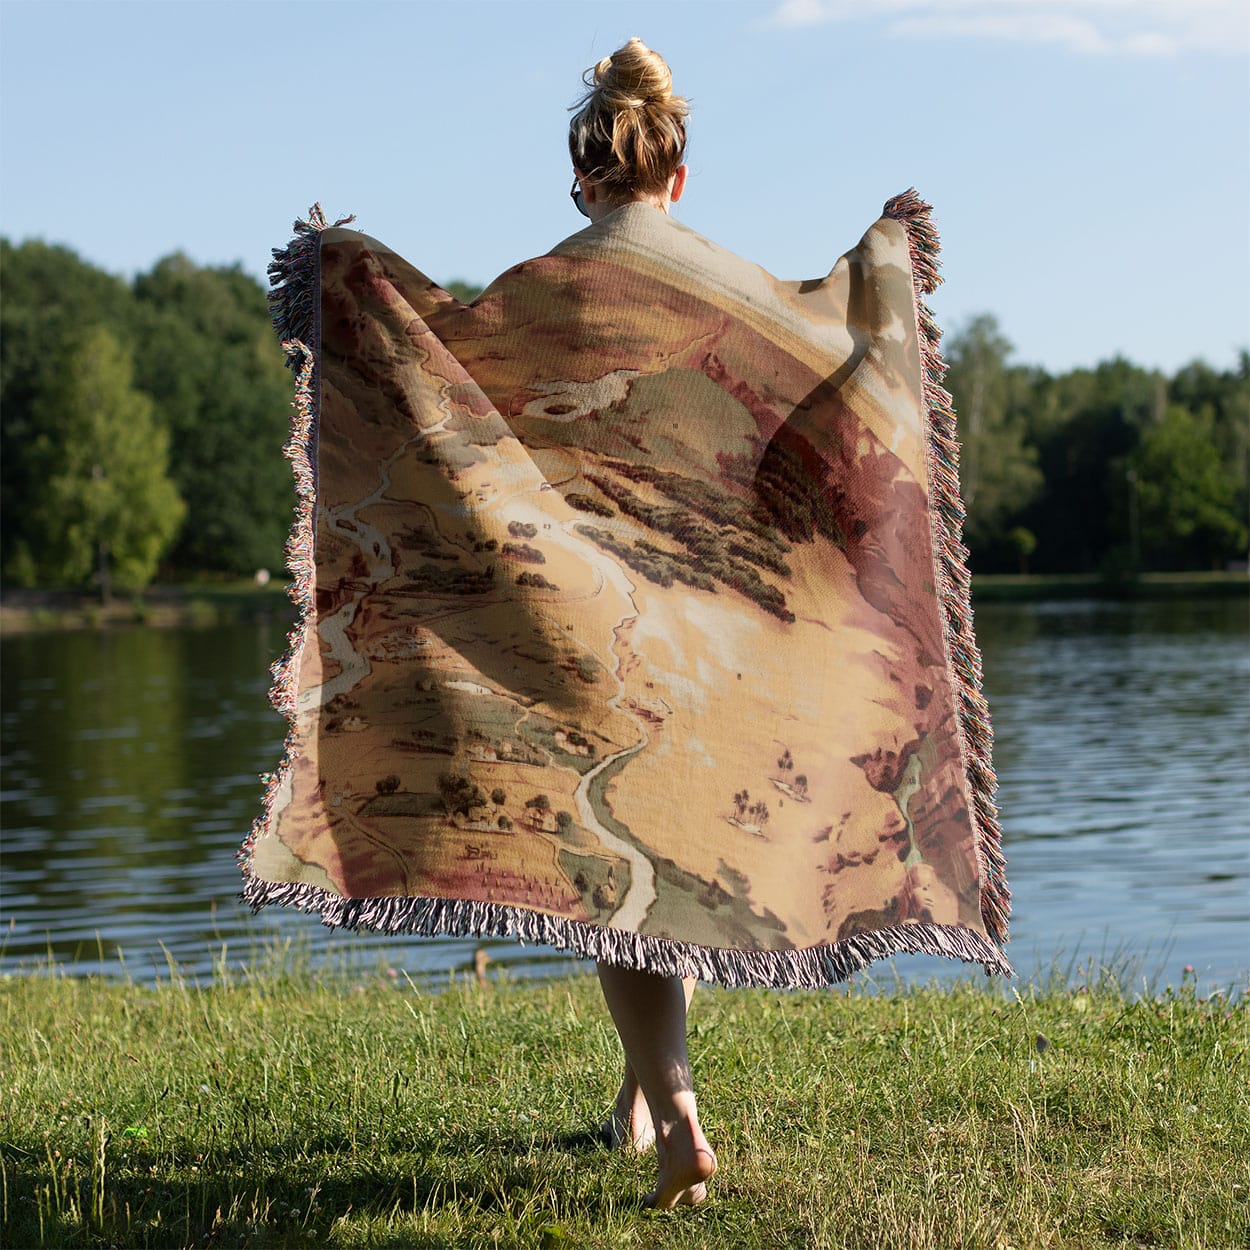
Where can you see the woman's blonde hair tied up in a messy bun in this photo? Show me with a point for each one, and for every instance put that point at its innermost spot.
(629, 133)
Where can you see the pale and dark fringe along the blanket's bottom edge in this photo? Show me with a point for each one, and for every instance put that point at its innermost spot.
(809, 968)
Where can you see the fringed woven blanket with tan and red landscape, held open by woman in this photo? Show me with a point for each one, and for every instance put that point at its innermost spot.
(634, 616)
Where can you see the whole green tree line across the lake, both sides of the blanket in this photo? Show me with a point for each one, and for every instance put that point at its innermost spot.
(143, 426)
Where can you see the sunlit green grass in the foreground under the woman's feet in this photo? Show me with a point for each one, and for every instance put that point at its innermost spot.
(291, 1109)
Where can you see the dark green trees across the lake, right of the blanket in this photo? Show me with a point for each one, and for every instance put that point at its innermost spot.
(1071, 474)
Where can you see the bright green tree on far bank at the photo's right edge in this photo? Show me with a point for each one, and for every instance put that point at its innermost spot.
(1186, 494)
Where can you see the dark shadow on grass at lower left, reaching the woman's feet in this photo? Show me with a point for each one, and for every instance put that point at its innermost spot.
(267, 1198)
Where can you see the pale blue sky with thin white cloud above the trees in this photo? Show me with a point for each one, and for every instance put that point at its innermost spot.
(1089, 161)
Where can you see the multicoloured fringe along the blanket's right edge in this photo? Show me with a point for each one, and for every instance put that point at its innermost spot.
(953, 579)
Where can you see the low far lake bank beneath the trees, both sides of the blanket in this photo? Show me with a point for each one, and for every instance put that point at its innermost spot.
(202, 604)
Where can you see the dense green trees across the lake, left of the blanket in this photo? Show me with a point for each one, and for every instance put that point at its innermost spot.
(143, 423)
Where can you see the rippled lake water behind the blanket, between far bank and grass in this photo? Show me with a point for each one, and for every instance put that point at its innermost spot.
(132, 759)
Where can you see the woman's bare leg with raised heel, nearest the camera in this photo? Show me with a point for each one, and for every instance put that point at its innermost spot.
(651, 1016)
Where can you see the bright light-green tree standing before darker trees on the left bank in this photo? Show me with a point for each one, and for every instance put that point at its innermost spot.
(106, 504)
